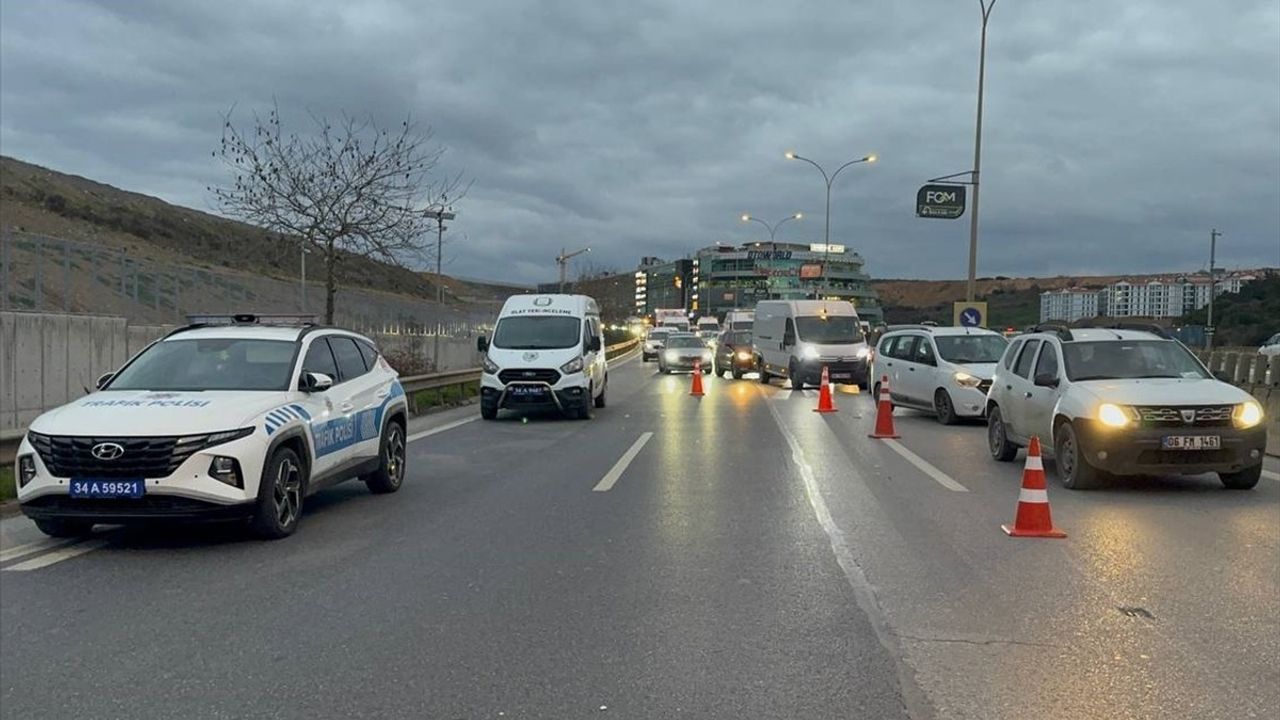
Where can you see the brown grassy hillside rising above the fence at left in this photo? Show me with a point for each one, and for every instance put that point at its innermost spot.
(43, 202)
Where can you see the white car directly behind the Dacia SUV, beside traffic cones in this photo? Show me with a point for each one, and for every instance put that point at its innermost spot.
(944, 371)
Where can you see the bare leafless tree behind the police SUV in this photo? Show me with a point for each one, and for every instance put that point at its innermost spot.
(350, 189)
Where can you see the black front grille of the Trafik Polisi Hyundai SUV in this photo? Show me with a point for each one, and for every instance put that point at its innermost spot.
(71, 457)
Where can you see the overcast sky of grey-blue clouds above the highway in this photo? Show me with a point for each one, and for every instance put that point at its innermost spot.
(1117, 134)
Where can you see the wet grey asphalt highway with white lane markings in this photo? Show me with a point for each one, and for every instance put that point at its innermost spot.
(733, 557)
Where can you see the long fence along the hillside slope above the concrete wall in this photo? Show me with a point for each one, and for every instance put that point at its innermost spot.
(54, 275)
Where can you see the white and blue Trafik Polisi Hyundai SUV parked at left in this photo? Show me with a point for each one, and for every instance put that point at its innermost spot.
(230, 418)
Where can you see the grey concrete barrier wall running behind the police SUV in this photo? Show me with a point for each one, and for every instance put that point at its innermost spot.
(49, 359)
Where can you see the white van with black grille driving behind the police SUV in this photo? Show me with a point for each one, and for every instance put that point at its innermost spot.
(547, 353)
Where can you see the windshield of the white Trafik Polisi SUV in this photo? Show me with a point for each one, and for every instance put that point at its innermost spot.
(241, 364)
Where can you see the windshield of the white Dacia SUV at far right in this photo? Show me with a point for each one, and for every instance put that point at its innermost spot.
(1130, 359)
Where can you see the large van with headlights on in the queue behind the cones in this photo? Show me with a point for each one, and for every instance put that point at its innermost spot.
(796, 339)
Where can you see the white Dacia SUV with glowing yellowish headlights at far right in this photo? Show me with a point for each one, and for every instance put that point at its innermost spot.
(1122, 402)
